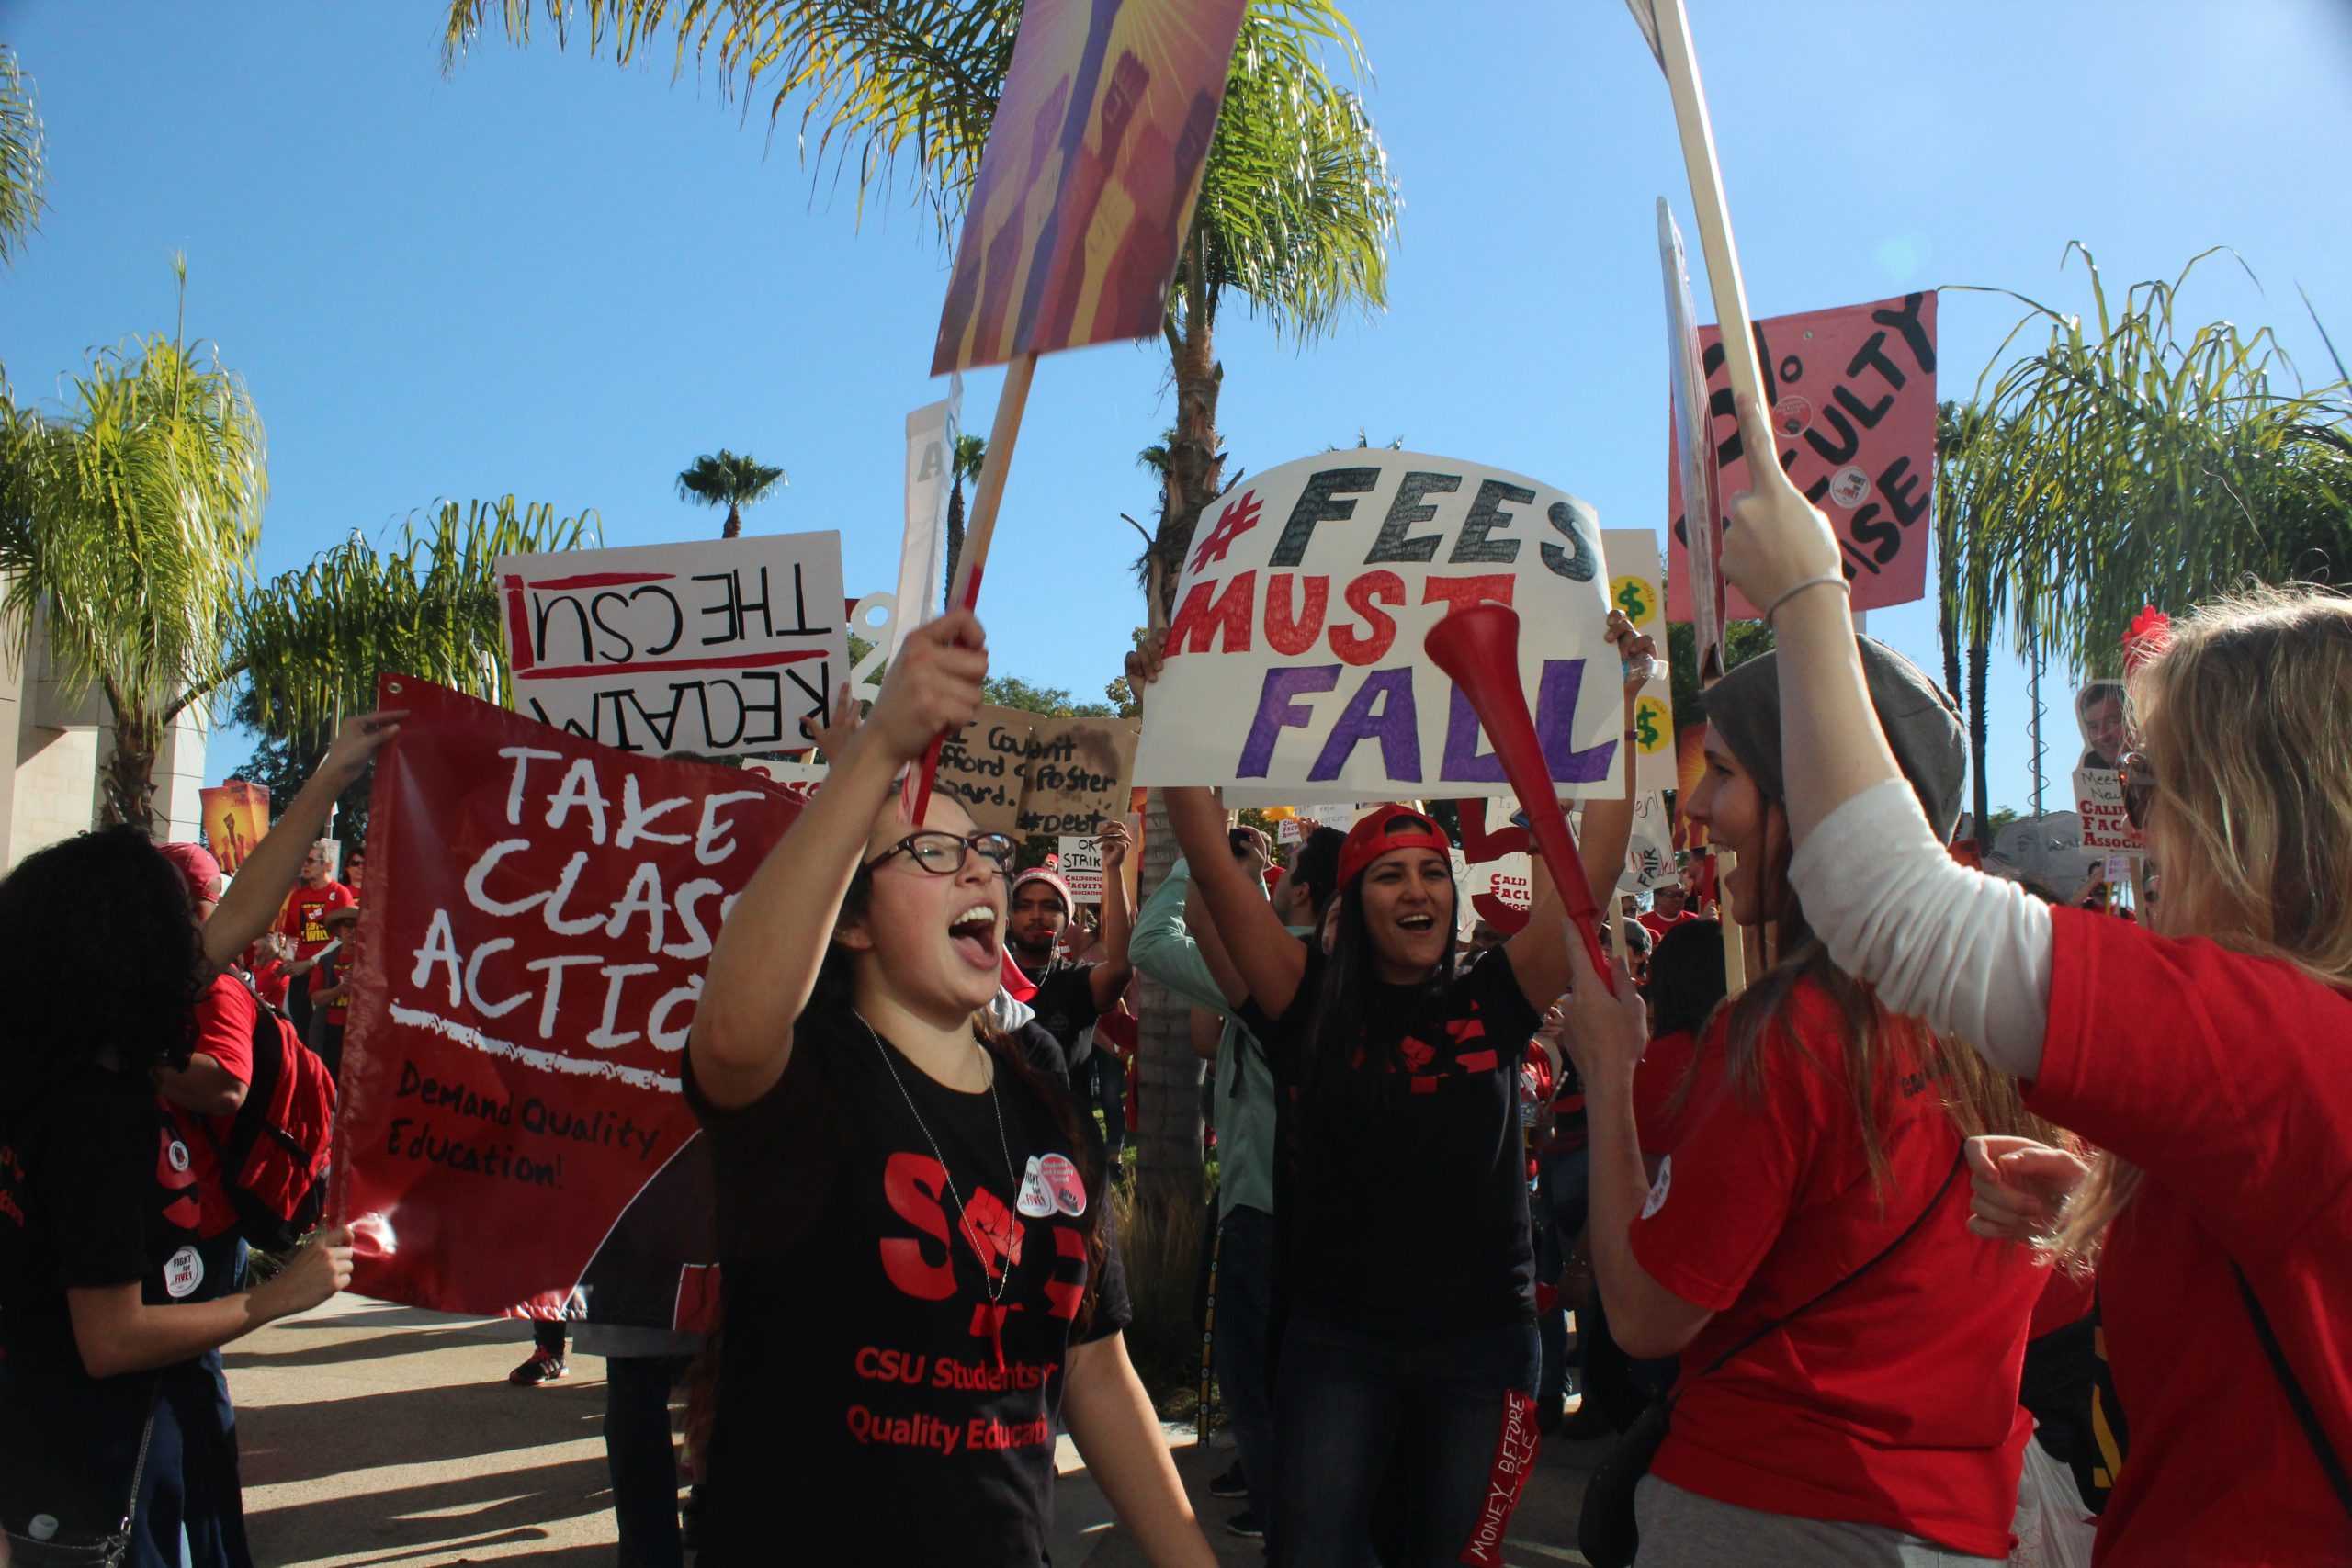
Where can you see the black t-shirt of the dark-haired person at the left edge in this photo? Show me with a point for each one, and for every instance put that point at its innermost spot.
(98, 1188)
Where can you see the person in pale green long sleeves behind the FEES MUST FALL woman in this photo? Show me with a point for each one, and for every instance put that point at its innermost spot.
(1177, 944)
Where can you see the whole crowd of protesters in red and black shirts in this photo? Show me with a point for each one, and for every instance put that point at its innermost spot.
(1869, 1264)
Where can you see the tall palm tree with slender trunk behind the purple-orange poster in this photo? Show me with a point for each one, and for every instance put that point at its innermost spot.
(1295, 217)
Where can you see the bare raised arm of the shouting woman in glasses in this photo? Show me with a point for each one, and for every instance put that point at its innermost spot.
(766, 960)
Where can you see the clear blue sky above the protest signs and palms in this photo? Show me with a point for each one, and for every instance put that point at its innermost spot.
(561, 281)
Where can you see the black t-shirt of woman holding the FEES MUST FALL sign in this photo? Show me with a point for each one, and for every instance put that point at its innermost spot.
(1405, 1193)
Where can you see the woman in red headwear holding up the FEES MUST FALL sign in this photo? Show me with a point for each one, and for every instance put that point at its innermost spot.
(1408, 1369)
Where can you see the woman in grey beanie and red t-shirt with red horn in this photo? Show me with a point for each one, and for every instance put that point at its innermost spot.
(1850, 1353)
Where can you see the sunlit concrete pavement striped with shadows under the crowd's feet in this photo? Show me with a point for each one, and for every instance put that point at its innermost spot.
(385, 1435)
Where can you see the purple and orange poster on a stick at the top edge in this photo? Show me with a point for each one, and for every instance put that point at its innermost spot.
(1088, 187)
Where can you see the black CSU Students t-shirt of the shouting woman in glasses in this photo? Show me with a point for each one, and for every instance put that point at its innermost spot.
(869, 1386)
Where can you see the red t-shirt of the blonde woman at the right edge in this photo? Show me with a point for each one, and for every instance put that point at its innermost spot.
(2229, 1080)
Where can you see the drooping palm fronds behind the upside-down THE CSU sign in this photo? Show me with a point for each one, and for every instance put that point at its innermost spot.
(314, 641)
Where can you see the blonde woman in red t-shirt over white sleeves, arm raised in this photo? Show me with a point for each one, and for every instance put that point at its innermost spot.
(2203, 1052)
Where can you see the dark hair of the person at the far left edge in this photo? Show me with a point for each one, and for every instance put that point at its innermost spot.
(98, 956)
